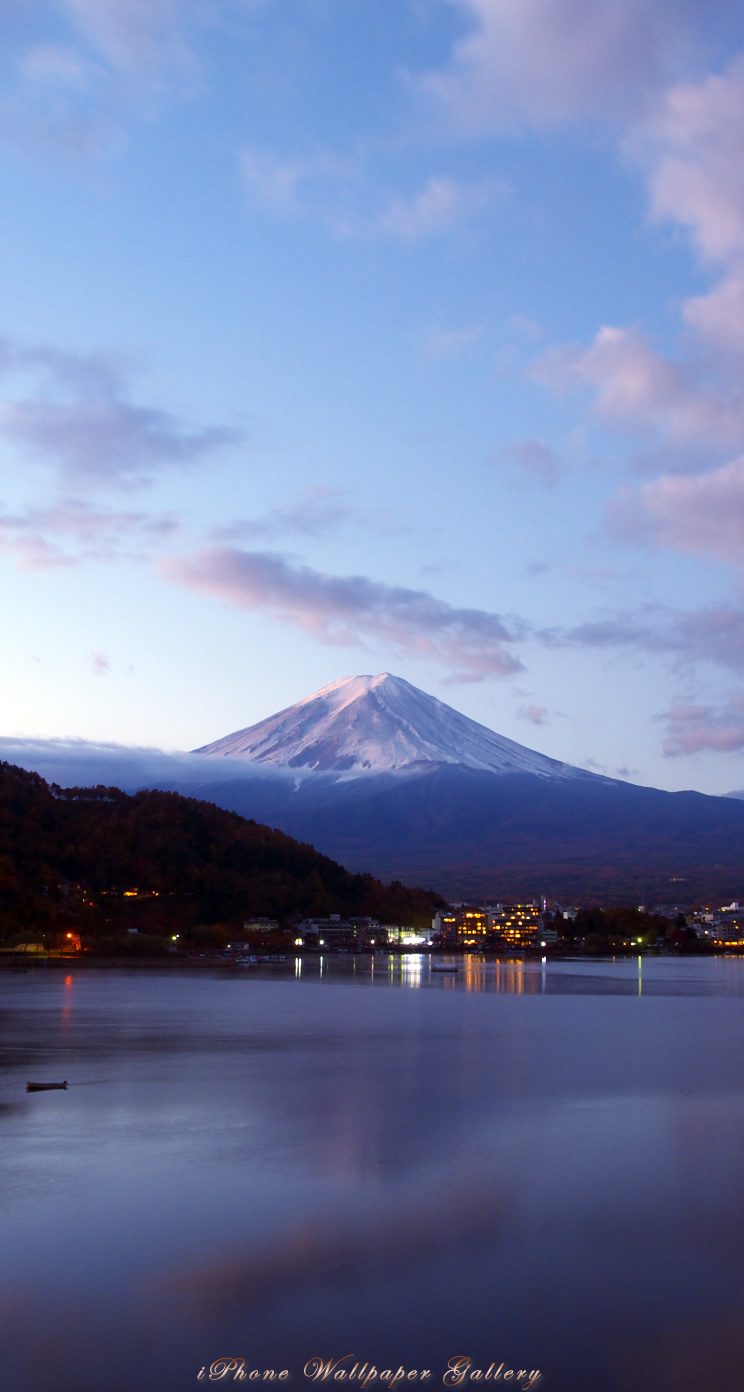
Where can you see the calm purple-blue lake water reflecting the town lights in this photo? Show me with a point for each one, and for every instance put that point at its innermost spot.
(533, 1166)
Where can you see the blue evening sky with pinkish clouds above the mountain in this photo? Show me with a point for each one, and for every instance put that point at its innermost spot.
(360, 336)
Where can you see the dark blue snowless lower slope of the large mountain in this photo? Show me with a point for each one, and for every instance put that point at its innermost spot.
(480, 836)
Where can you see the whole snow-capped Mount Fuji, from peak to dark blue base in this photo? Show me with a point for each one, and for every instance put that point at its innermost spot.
(387, 779)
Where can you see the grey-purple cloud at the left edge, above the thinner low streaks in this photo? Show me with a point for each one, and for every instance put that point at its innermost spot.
(79, 414)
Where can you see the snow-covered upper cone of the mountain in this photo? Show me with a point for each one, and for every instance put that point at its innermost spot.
(380, 725)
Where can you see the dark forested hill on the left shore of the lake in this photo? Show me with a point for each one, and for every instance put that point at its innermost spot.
(193, 860)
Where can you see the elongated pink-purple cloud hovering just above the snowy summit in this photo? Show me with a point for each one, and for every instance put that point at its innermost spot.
(469, 644)
